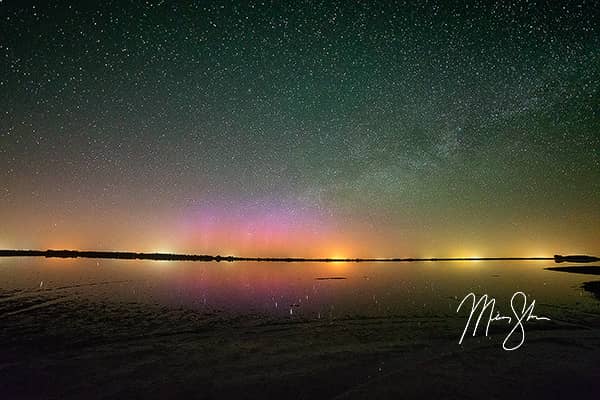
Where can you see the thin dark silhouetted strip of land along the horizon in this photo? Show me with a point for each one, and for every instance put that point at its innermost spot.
(203, 257)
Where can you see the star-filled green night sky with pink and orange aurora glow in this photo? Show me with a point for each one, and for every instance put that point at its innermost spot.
(301, 128)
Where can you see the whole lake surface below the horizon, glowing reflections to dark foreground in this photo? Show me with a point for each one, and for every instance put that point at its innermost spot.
(245, 329)
